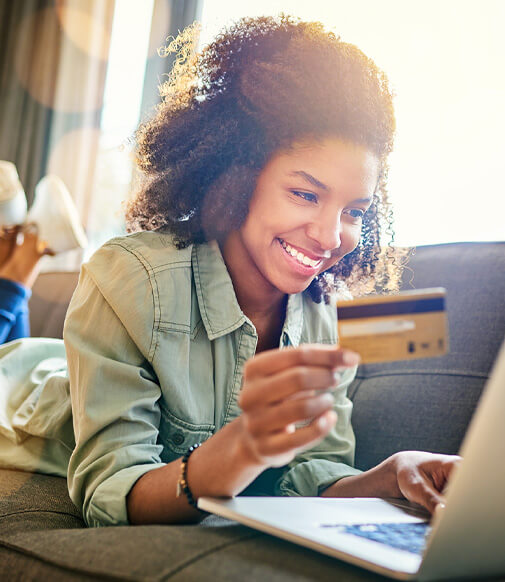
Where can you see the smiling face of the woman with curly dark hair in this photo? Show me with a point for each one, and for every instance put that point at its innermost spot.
(304, 216)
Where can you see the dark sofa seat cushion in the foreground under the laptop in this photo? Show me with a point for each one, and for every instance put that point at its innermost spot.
(43, 538)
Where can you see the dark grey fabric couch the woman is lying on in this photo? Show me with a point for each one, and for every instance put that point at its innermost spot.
(421, 404)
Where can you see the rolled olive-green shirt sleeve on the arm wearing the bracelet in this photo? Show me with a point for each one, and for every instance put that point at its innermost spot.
(115, 399)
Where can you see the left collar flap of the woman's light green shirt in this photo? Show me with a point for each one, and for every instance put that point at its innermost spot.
(219, 308)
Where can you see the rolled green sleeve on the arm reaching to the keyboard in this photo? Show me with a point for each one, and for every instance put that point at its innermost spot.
(311, 472)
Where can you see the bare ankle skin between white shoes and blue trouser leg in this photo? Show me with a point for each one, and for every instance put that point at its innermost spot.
(23, 263)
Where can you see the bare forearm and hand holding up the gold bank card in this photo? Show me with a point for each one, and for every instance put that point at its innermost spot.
(281, 388)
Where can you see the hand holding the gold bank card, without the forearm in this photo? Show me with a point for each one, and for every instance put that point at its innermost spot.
(286, 400)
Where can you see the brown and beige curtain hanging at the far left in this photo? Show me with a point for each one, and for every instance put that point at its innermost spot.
(53, 57)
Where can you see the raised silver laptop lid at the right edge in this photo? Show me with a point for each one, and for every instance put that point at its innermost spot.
(468, 537)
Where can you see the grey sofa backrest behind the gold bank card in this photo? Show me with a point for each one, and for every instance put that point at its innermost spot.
(426, 404)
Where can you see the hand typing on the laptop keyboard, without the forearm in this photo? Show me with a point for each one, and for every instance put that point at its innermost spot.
(422, 477)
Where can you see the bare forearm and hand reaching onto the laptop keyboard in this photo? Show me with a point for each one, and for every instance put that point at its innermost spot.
(417, 476)
